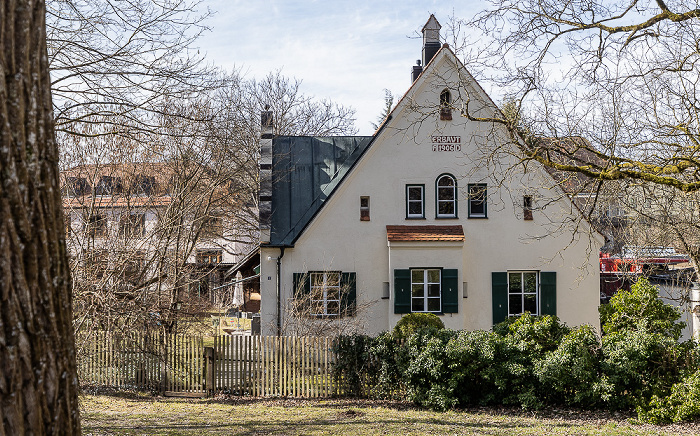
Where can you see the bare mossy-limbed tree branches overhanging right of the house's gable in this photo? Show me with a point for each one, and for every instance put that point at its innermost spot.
(622, 75)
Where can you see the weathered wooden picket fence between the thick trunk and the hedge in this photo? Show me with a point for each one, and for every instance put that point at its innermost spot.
(179, 365)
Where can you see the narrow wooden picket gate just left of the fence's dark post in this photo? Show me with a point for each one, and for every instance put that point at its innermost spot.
(183, 369)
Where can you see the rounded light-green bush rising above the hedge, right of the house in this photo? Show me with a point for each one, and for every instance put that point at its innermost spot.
(640, 309)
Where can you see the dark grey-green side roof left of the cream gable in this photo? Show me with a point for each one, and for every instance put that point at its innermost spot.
(305, 171)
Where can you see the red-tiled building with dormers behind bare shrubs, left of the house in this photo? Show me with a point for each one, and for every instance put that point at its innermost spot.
(129, 229)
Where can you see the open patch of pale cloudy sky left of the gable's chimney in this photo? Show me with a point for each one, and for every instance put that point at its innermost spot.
(348, 51)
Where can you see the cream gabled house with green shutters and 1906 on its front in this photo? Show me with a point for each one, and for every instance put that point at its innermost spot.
(433, 213)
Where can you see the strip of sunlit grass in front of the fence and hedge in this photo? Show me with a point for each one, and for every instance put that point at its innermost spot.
(137, 414)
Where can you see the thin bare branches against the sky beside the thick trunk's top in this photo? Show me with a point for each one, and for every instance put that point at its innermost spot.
(118, 62)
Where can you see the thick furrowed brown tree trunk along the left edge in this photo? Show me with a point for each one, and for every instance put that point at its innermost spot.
(38, 382)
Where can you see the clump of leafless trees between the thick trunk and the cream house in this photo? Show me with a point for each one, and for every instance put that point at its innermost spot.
(148, 250)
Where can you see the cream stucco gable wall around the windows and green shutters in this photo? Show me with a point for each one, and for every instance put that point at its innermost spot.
(557, 239)
